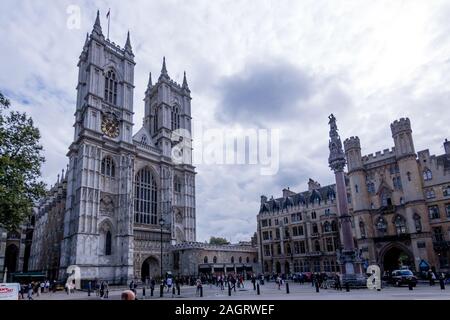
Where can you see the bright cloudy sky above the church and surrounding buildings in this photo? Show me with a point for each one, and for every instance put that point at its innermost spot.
(250, 64)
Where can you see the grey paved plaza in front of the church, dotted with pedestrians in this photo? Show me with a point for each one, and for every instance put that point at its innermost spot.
(270, 291)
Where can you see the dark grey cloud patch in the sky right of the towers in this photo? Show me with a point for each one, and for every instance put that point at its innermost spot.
(263, 93)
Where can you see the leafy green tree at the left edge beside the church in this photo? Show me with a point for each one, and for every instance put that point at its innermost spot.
(20, 166)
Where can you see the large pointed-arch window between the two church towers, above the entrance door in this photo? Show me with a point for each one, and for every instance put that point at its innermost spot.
(145, 197)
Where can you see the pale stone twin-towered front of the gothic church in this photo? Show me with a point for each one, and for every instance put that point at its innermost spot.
(121, 187)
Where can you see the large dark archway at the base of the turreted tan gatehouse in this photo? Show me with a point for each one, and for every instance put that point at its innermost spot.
(396, 256)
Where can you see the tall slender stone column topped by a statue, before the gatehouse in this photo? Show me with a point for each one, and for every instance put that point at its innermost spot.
(349, 256)
